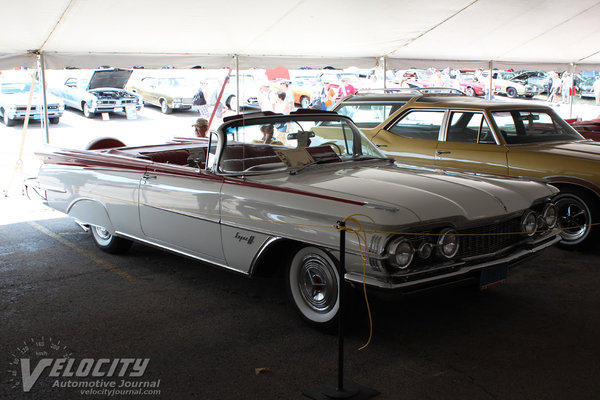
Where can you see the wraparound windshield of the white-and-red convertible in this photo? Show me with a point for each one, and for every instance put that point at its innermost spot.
(280, 143)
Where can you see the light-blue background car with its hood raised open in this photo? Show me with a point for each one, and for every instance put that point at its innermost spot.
(103, 92)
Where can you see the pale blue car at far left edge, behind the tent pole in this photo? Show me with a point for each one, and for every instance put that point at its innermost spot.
(14, 98)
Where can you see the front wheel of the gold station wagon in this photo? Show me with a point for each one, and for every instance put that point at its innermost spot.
(575, 217)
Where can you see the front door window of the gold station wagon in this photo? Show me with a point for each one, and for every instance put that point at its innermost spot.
(469, 127)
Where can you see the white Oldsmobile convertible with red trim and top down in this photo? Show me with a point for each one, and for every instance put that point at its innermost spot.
(241, 201)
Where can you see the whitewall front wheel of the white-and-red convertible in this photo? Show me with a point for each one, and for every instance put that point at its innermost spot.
(313, 286)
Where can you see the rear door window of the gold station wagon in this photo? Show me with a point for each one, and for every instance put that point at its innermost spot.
(419, 125)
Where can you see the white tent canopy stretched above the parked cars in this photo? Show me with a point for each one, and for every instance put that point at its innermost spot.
(265, 33)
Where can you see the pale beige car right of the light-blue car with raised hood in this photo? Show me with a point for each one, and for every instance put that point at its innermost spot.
(167, 92)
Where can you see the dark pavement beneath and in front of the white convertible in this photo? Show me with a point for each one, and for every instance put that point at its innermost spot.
(206, 331)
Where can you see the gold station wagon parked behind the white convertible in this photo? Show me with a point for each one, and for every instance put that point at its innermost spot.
(500, 137)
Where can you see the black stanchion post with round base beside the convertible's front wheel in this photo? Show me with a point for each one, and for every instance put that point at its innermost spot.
(341, 389)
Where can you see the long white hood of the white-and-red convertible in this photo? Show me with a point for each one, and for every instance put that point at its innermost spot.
(427, 194)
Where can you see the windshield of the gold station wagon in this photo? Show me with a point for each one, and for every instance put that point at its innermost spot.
(521, 126)
